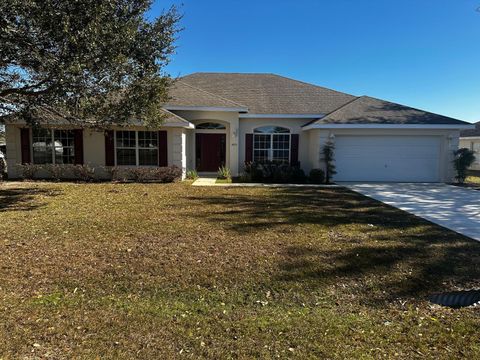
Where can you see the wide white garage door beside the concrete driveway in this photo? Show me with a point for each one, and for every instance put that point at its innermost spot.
(387, 158)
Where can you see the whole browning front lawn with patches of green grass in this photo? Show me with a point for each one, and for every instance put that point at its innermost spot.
(175, 271)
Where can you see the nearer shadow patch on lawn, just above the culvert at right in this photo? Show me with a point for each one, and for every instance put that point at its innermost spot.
(386, 272)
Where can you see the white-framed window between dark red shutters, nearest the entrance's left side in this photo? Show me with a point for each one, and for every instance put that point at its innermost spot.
(137, 148)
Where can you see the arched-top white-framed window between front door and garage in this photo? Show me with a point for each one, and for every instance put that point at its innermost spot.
(271, 143)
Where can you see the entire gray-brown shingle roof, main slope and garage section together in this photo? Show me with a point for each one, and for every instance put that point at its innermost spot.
(274, 94)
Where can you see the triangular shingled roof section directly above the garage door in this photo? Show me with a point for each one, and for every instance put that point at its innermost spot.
(368, 110)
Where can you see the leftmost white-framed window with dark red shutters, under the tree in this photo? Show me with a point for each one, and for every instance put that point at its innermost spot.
(53, 146)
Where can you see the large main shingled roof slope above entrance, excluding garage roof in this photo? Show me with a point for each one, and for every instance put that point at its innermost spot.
(264, 93)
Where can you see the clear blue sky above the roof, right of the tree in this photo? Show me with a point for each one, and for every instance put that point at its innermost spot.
(423, 53)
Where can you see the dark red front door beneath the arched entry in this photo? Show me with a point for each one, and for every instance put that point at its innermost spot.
(210, 151)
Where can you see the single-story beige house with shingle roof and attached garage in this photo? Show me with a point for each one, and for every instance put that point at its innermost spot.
(228, 119)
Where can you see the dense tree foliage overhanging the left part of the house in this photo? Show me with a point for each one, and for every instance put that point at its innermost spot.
(99, 61)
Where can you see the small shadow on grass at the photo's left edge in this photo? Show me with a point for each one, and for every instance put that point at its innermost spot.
(23, 198)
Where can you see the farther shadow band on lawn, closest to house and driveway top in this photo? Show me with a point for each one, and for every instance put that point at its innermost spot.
(290, 206)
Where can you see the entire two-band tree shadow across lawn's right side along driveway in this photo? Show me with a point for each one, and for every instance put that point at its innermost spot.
(397, 256)
